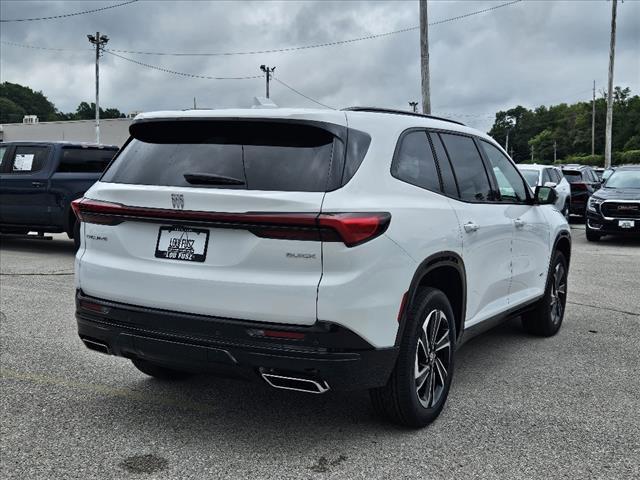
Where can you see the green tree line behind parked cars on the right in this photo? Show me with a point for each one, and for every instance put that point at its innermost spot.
(563, 132)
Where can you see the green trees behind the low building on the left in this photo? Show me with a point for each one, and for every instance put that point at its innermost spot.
(16, 101)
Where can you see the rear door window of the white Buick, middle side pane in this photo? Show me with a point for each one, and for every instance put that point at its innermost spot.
(470, 173)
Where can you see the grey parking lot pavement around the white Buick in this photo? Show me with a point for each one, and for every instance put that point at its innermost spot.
(519, 407)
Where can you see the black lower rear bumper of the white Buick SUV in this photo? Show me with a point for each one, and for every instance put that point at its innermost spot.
(323, 352)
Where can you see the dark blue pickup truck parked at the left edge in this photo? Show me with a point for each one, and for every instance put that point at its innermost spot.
(38, 181)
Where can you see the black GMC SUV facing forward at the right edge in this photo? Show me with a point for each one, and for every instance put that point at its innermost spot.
(615, 208)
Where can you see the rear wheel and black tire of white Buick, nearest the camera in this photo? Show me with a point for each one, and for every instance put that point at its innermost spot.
(402, 399)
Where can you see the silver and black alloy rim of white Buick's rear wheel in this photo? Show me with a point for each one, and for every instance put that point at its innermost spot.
(433, 358)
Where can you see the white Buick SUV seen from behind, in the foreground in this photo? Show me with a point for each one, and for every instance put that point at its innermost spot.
(314, 249)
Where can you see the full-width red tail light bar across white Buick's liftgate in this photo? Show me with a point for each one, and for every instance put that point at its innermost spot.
(350, 228)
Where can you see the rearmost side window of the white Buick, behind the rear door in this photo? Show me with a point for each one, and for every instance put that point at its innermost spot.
(414, 162)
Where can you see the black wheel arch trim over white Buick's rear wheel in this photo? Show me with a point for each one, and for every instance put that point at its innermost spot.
(445, 271)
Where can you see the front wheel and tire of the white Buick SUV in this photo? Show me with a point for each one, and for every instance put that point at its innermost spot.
(546, 318)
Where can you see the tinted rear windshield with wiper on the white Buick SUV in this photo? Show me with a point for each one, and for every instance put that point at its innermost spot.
(246, 155)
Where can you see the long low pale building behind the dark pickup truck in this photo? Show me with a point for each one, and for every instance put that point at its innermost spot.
(113, 131)
